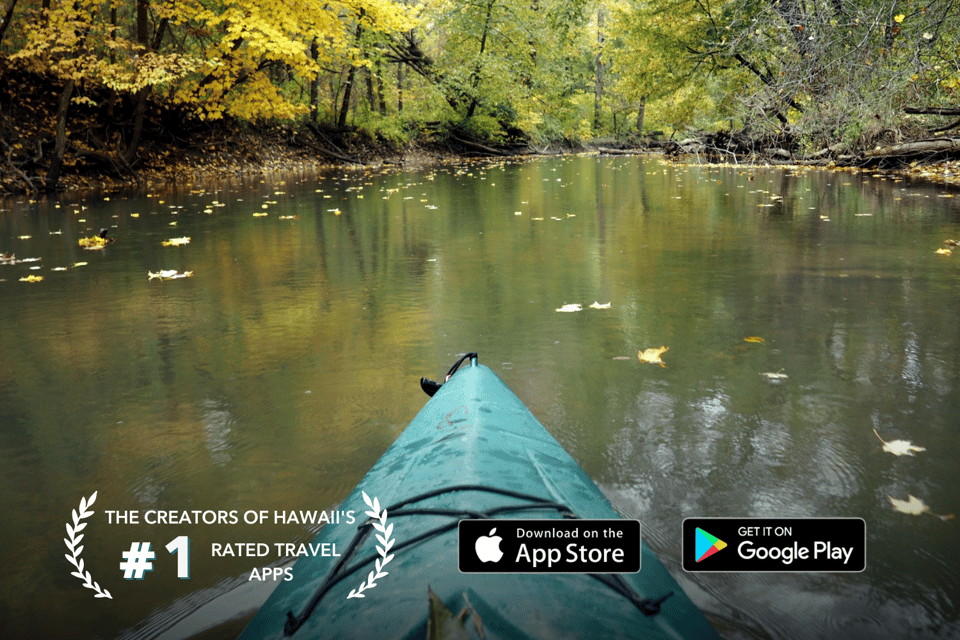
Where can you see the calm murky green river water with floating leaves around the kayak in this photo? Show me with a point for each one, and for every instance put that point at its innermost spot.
(274, 377)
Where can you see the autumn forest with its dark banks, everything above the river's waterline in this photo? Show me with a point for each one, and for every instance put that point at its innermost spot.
(99, 84)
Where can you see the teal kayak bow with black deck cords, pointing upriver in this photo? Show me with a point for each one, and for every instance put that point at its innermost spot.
(473, 452)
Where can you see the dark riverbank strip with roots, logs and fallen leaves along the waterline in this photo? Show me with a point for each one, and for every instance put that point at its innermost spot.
(104, 149)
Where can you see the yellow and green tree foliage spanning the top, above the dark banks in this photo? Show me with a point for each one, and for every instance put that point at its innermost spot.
(837, 71)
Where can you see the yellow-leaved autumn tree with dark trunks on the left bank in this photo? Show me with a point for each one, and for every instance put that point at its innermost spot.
(236, 58)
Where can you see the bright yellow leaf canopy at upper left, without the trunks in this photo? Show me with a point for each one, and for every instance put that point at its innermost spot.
(242, 40)
